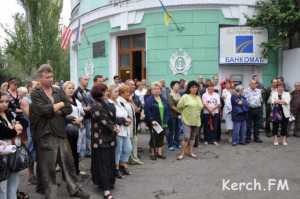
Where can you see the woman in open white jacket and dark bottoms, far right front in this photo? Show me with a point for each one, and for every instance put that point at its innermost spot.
(280, 101)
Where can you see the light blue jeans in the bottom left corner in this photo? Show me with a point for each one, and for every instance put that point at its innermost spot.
(9, 187)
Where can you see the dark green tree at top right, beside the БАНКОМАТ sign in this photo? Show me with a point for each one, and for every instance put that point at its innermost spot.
(281, 18)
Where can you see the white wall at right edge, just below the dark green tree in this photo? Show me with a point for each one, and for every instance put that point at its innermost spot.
(291, 66)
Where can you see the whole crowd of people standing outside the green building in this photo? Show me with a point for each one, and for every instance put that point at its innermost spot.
(60, 124)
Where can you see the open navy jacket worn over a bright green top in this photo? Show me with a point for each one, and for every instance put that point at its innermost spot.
(152, 111)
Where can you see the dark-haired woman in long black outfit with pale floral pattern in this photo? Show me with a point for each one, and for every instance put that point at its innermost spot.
(103, 140)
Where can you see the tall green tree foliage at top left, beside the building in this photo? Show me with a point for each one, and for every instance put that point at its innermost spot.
(36, 39)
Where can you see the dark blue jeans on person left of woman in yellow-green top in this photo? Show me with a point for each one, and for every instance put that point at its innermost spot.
(173, 134)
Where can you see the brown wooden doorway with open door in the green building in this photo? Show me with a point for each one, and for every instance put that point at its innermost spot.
(132, 57)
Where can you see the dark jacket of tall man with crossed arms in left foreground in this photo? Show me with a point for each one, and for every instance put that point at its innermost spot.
(44, 121)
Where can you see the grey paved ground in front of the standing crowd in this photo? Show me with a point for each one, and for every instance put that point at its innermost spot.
(197, 179)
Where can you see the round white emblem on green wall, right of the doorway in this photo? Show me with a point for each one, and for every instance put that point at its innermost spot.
(180, 62)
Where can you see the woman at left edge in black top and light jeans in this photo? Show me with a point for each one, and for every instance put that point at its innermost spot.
(9, 131)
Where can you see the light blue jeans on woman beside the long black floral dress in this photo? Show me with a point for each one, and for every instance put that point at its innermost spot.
(123, 149)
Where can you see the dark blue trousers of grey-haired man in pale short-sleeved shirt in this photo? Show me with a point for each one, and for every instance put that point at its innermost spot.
(254, 123)
